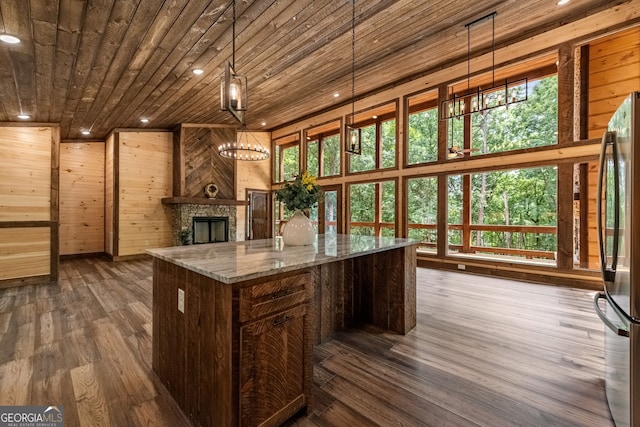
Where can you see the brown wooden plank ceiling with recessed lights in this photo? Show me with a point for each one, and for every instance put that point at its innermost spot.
(105, 64)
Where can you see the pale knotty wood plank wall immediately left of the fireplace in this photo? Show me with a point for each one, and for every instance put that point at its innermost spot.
(144, 168)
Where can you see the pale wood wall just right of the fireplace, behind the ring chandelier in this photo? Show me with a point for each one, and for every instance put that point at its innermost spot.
(251, 176)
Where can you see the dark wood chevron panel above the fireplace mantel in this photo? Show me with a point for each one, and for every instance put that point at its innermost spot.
(203, 165)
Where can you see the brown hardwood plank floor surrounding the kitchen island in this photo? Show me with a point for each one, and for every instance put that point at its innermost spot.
(486, 352)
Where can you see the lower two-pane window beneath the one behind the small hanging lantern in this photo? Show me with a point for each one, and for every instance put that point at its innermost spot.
(372, 209)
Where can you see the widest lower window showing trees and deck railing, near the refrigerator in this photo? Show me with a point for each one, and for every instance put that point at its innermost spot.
(513, 213)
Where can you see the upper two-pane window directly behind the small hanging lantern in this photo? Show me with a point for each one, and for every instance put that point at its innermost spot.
(379, 134)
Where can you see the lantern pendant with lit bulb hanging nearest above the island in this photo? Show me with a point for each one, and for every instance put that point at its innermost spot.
(233, 87)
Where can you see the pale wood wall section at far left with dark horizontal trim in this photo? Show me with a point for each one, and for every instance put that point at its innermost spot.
(28, 203)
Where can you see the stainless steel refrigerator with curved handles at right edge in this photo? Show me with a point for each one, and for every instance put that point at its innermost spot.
(619, 236)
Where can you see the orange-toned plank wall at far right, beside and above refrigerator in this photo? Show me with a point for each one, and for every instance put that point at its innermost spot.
(614, 72)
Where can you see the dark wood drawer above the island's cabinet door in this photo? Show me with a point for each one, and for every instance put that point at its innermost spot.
(274, 296)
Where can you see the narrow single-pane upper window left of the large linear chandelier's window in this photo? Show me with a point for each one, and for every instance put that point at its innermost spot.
(422, 134)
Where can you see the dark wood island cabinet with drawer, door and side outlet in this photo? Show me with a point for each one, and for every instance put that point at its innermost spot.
(239, 355)
